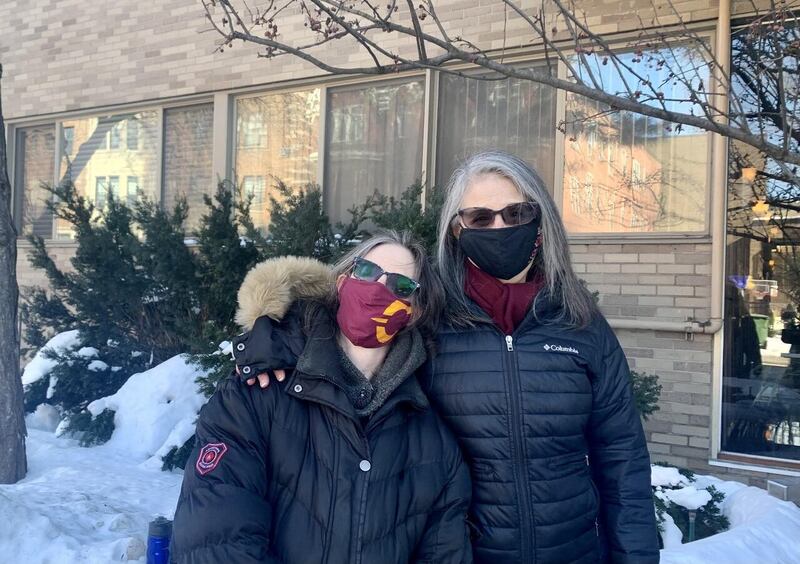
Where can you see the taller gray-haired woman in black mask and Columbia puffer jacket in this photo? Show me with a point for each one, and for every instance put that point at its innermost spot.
(532, 380)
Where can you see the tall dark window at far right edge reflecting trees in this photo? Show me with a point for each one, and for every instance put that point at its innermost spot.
(761, 360)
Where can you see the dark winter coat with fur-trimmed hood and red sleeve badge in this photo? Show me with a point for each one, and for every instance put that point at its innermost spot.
(292, 474)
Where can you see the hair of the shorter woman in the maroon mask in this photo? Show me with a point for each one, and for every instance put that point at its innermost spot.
(428, 300)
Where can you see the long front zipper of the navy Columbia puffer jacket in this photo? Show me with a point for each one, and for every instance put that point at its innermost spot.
(528, 535)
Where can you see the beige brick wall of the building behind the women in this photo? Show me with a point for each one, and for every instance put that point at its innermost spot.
(68, 56)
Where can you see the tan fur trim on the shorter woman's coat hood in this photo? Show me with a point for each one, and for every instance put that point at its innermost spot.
(273, 285)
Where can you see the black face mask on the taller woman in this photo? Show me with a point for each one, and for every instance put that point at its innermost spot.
(503, 252)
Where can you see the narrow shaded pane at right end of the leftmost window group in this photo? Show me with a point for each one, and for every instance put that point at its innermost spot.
(187, 160)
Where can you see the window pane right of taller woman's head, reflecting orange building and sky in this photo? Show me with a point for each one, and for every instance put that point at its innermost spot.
(627, 173)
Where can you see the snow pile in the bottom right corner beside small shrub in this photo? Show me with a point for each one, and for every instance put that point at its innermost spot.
(763, 530)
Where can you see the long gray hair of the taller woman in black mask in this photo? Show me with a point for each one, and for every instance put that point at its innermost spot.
(552, 262)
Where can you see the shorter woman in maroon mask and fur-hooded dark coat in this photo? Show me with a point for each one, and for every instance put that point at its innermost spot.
(345, 461)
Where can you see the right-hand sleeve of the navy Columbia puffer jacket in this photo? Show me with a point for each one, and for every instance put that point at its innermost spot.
(619, 458)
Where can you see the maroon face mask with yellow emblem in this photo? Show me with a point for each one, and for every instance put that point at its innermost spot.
(369, 314)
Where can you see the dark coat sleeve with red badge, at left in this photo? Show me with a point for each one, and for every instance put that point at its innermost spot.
(222, 513)
